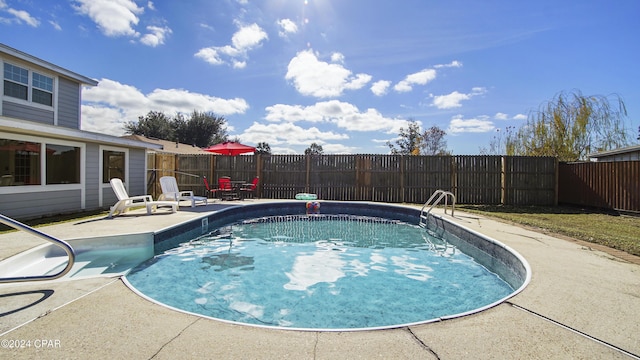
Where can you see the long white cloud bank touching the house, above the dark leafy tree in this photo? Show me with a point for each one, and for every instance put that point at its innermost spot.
(108, 106)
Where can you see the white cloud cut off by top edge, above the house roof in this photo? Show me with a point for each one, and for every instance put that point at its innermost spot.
(113, 17)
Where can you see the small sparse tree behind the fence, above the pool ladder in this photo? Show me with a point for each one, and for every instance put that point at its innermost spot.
(413, 141)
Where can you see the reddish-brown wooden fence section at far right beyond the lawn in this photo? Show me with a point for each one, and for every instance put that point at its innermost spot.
(611, 185)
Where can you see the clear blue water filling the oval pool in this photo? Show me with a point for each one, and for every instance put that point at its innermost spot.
(319, 272)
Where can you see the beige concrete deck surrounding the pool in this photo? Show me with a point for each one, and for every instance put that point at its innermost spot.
(582, 303)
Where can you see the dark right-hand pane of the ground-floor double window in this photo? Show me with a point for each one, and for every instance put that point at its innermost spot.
(63, 164)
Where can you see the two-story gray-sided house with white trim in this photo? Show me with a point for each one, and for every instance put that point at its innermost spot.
(49, 166)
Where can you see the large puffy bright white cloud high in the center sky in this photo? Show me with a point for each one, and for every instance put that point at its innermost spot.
(313, 77)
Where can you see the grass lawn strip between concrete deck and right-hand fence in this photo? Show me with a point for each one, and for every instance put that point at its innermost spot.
(609, 229)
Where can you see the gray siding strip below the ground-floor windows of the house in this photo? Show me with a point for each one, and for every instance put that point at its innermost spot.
(33, 205)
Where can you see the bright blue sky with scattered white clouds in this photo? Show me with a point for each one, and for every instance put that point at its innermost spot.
(345, 74)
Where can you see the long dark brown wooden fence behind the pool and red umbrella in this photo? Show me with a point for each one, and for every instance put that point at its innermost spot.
(386, 178)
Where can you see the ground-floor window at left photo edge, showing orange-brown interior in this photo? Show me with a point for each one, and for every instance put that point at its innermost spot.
(20, 162)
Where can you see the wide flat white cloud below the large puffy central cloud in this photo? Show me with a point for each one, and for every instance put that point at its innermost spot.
(343, 115)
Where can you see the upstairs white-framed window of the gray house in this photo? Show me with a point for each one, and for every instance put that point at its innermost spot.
(16, 85)
